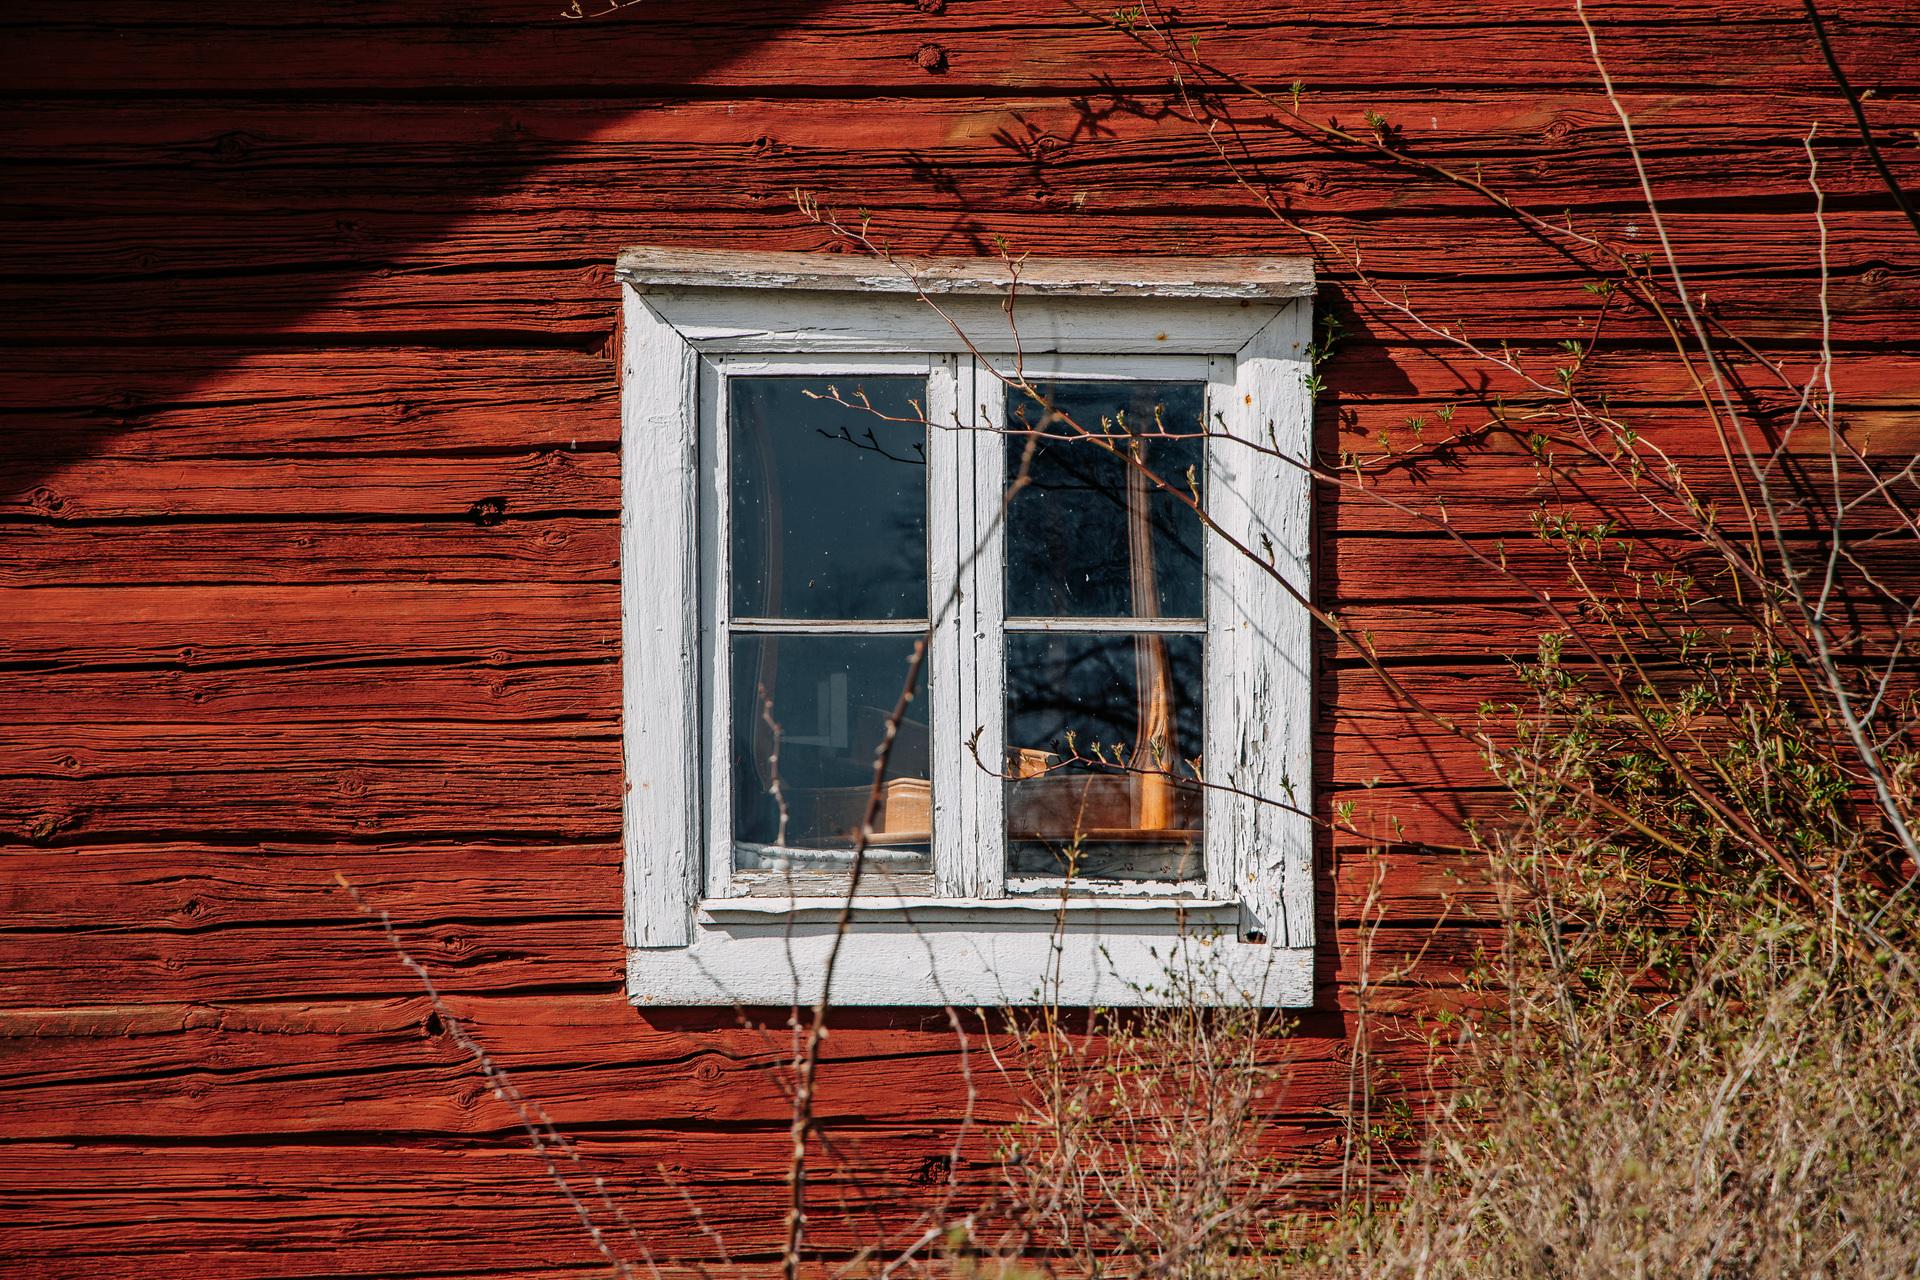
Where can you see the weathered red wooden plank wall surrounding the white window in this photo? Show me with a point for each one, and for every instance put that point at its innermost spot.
(308, 544)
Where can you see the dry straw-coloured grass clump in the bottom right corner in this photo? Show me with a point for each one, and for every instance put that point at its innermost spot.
(1764, 1124)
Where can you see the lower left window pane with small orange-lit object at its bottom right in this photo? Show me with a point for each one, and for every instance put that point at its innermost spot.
(809, 713)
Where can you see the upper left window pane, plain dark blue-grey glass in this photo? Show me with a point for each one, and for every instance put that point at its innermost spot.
(830, 502)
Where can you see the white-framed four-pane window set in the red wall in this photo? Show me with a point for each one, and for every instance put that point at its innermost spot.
(1103, 770)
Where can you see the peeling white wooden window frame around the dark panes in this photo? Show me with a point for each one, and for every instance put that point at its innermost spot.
(696, 934)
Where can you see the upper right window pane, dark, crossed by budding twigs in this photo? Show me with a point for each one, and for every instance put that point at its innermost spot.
(1090, 536)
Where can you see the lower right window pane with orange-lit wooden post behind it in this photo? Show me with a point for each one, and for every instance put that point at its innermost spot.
(1103, 742)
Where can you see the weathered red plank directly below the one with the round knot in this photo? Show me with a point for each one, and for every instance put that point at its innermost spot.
(241, 135)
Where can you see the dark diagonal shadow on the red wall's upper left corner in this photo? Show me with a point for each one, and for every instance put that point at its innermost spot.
(189, 187)
